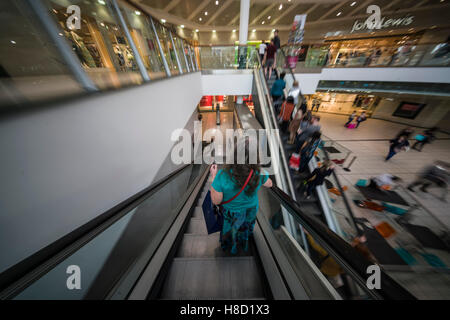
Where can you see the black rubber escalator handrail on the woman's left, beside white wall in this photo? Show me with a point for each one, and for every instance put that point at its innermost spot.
(38, 264)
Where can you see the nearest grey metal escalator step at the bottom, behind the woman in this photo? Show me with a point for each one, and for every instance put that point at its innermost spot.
(213, 278)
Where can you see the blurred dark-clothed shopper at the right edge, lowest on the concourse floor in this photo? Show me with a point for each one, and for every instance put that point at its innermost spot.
(437, 174)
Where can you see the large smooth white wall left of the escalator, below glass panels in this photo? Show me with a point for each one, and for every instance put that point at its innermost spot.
(64, 165)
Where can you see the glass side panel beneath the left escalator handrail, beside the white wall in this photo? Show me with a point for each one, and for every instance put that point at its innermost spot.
(109, 256)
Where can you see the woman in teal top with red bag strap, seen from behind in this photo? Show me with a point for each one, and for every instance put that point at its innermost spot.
(239, 215)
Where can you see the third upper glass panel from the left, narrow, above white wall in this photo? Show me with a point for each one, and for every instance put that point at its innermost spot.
(143, 36)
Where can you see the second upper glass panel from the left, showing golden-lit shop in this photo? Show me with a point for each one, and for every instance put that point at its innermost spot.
(100, 44)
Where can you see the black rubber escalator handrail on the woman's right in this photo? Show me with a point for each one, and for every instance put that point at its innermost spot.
(348, 257)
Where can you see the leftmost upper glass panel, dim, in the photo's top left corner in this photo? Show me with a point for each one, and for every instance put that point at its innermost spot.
(31, 68)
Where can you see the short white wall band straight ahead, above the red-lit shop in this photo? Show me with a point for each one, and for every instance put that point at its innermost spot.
(227, 84)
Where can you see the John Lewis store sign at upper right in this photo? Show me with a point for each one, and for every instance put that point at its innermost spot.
(375, 21)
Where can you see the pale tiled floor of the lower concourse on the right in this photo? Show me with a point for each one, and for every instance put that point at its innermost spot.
(369, 143)
